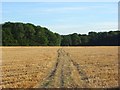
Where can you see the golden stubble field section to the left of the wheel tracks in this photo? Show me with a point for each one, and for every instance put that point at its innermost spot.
(26, 66)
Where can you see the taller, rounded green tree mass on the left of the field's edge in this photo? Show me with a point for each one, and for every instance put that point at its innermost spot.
(21, 34)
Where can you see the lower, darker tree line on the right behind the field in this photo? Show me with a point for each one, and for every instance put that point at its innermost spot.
(110, 38)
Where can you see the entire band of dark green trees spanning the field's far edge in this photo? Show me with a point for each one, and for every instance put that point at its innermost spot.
(20, 34)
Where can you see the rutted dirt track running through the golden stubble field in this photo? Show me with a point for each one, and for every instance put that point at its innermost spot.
(65, 74)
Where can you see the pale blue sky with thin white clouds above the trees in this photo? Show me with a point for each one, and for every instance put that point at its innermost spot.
(64, 17)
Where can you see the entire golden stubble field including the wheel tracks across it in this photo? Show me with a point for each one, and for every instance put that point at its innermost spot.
(59, 67)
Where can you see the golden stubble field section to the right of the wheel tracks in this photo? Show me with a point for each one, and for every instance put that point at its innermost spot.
(100, 64)
